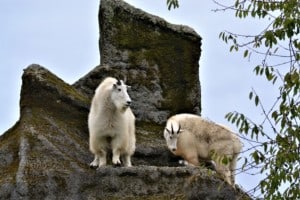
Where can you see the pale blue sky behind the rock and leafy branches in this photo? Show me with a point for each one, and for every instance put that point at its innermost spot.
(63, 37)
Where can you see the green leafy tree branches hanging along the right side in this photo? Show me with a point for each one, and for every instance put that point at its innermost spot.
(276, 139)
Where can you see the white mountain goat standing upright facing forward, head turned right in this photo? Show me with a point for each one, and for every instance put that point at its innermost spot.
(111, 124)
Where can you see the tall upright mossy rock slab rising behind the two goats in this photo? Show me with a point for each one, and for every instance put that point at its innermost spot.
(160, 61)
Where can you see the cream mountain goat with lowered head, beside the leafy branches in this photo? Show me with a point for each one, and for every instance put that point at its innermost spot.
(194, 138)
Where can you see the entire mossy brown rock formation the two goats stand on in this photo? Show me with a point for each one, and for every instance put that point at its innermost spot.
(45, 155)
